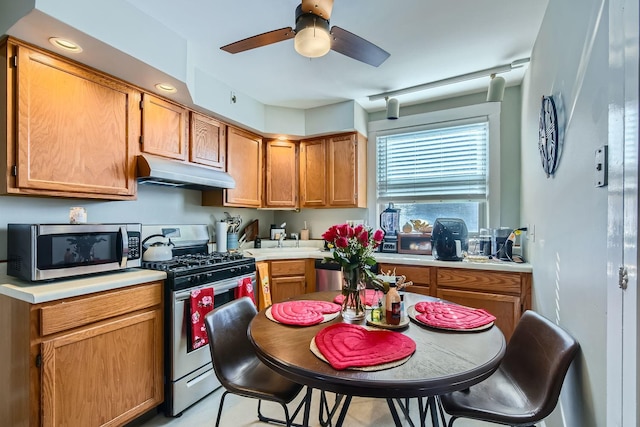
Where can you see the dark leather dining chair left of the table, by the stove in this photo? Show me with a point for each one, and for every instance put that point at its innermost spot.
(237, 366)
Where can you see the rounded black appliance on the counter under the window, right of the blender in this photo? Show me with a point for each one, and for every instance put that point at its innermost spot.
(449, 239)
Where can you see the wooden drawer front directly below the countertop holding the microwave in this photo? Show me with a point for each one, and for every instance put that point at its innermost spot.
(68, 314)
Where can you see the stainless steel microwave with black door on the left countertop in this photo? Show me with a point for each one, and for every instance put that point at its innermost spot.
(53, 251)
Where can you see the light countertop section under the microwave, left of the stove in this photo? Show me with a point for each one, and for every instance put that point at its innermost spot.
(37, 292)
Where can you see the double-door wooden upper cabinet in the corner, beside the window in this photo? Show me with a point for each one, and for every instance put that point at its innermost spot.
(333, 171)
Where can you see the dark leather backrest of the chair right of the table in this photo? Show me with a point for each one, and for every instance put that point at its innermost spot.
(537, 358)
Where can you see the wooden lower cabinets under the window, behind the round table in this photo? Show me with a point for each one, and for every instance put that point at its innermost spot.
(506, 295)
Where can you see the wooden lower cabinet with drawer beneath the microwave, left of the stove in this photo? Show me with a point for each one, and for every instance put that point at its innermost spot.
(95, 360)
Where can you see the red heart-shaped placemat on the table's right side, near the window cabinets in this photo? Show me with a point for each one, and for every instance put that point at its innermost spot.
(452, 316)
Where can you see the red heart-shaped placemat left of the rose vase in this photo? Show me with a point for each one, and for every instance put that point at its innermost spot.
(302, 312)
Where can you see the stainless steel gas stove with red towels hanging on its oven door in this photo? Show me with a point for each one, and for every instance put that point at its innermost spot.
(189, 372)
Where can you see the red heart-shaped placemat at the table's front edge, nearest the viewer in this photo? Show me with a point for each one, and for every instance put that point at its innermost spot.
(345, 345)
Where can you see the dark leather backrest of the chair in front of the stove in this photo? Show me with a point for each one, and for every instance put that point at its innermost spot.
(229, 343)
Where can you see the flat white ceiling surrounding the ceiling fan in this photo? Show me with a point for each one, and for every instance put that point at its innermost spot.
(428, 40)
